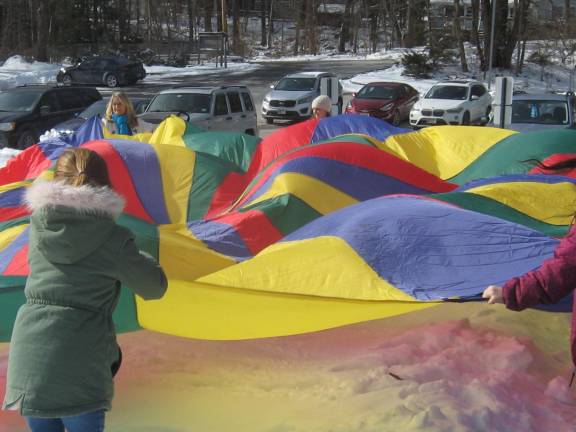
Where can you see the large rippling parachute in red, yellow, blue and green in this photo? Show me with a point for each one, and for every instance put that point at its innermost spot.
(320, 224)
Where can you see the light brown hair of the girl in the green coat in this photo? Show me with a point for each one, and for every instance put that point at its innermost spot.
(80, 166)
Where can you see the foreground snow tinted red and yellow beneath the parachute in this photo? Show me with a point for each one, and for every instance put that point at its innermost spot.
(456, 367)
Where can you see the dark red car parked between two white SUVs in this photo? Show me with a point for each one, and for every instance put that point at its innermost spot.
(390, 101)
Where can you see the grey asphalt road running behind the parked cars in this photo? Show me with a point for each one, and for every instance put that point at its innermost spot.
(259, 80)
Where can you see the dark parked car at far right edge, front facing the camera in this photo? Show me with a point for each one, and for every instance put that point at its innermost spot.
(531, 112)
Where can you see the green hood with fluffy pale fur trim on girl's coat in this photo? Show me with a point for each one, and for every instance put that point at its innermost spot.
(69, 223)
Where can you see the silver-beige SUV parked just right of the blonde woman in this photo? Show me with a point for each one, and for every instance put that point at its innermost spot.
(223, 108)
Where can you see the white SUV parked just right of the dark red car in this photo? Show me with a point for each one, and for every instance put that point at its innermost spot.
(452, 103)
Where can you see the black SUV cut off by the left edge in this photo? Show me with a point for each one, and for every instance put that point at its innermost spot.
(27, 112)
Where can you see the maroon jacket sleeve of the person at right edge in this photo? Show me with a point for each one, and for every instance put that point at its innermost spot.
(552, 281)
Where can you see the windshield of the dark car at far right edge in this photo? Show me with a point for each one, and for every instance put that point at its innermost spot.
(540, 112)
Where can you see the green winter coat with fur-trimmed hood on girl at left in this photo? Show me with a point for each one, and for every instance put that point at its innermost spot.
(64, 341)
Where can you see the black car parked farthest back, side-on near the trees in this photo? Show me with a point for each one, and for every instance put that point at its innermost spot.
(110, 71)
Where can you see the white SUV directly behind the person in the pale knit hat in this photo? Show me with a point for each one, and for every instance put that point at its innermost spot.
(292, 96)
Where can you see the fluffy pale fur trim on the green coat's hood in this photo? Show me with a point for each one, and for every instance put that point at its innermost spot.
(85, 199)
